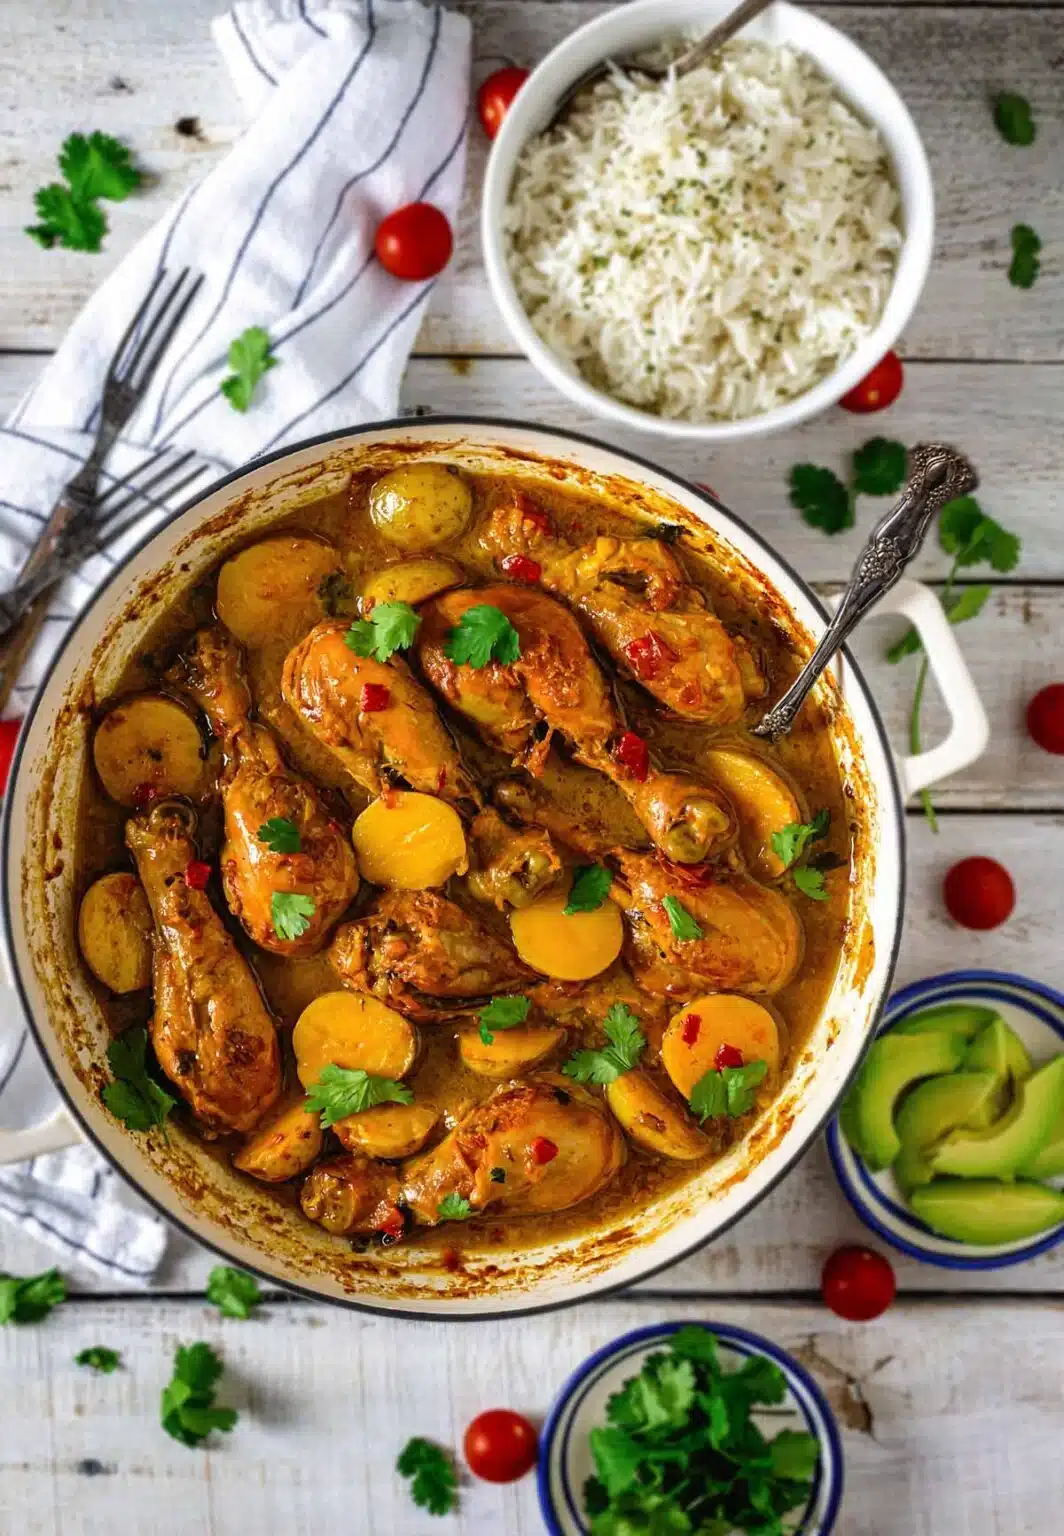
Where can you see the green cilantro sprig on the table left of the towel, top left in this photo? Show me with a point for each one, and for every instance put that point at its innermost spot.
(71, 216)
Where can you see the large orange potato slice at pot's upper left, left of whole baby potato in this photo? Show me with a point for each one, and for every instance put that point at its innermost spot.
(273, 588)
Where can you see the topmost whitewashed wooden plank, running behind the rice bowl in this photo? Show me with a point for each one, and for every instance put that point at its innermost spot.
(82, 50)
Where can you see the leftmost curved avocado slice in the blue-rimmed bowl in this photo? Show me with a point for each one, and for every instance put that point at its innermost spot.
(894, 1064)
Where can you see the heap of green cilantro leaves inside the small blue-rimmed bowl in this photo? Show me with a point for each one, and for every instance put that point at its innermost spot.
(681, 1454)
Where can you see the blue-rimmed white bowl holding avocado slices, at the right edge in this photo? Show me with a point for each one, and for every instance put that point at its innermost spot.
(951, 1144)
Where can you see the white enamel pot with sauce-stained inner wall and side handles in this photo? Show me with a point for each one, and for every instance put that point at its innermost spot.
(245, 1222)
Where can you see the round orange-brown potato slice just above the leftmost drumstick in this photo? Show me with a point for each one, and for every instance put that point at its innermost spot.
(148, 743)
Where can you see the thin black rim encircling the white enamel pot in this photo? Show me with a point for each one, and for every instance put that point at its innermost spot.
(426, 425)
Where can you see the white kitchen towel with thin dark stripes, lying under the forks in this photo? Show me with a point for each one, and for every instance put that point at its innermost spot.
(357, 107)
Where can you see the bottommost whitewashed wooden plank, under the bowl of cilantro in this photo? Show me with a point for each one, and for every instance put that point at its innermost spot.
(328, 1400)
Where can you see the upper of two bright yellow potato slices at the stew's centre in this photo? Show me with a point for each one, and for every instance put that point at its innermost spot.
(411, 842)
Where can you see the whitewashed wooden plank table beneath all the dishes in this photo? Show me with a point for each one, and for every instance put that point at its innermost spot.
(953, 1405)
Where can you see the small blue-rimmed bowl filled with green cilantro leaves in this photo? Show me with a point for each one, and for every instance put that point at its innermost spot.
(690, 1428)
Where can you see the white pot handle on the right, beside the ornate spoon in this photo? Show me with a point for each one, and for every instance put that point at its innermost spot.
(970, 730)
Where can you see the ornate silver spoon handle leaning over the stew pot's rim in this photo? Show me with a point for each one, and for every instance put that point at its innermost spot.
(937, 475)
